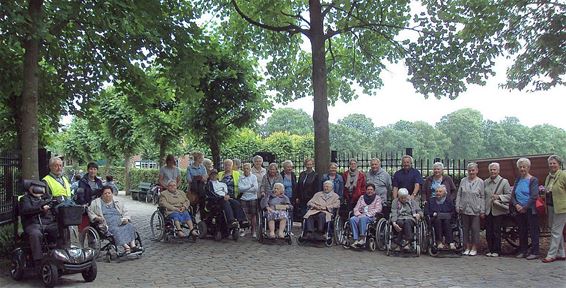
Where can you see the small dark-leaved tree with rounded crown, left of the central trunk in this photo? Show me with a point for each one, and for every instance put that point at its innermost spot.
(228, 98)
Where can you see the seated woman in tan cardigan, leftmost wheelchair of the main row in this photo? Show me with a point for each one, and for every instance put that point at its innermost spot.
(176, 207)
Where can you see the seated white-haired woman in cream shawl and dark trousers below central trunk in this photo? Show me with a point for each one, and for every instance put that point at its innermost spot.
(320, 211)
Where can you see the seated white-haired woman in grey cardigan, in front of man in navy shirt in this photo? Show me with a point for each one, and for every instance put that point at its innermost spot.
(405, 212)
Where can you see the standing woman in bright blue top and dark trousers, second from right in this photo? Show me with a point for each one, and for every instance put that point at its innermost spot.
(523, 197)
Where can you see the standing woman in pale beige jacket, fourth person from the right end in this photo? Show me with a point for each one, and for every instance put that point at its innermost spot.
(470, 204)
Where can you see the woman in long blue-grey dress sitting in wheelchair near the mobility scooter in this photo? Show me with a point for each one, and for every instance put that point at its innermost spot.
(112, 220)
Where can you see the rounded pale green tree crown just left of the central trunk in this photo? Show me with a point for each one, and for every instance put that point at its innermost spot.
(294, 121)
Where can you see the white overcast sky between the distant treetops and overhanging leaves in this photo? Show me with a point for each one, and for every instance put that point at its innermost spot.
(397, 100)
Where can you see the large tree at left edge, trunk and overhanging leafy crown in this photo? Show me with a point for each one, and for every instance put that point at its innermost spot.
(86, 44)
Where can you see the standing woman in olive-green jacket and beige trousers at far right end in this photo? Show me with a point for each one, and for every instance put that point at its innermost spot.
(556, 201)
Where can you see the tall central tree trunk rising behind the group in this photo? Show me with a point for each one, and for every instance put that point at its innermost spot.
(320, 113)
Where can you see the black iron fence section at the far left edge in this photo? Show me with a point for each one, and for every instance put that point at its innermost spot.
(9, 184)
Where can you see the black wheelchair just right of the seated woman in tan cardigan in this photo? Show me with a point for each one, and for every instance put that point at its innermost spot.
(214, 223)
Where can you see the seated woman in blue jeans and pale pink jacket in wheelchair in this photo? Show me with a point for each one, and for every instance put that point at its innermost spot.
(367, 207)
